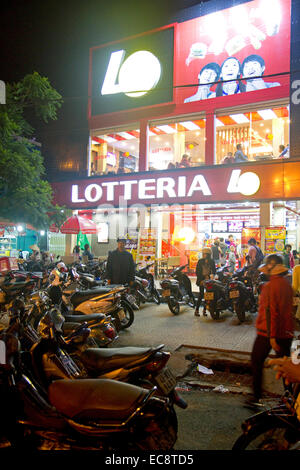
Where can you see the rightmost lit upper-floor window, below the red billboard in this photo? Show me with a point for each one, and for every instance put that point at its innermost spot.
(252, 136)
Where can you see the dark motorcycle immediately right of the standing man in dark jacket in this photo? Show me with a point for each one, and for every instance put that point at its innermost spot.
(144, 286)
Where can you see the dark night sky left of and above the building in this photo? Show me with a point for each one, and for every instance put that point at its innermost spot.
(54, 37)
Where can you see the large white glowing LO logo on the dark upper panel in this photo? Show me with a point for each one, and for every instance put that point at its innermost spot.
(137, 75)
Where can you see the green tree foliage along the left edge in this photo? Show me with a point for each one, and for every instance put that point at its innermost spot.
(25, 195)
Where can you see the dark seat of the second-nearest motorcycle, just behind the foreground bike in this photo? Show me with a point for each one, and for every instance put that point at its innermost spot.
(104, 360)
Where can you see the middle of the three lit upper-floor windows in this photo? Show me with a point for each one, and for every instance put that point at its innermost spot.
(176, 144)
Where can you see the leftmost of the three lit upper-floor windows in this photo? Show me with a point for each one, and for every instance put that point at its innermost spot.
(114, 152)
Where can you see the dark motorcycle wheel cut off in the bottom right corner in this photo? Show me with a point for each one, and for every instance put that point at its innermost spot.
(264, 437)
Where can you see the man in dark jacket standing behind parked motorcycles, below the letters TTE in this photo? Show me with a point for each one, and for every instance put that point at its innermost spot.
(120, 267)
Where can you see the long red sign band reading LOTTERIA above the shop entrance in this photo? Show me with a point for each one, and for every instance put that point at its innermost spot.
(280, 180)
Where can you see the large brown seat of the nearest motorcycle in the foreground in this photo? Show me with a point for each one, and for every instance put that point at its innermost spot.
(102, 399)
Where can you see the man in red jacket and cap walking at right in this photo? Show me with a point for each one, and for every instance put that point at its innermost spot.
(274, 324)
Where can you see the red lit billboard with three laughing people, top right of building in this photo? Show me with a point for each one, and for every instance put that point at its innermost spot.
(235, 50)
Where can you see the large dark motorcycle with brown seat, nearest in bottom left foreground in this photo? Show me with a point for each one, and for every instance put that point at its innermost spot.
(46, 409)
